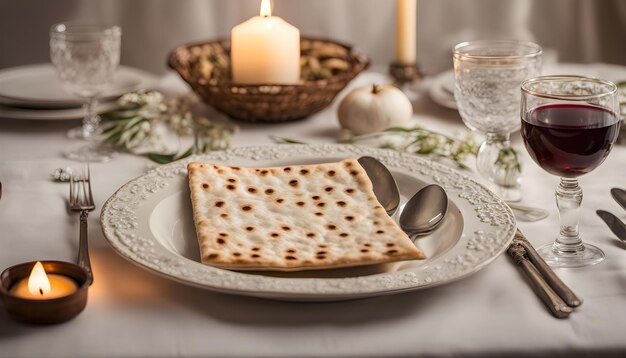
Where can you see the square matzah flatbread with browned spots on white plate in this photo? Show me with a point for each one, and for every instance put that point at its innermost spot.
(292, 218)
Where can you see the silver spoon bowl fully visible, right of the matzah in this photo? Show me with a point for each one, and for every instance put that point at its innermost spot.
(424, 211)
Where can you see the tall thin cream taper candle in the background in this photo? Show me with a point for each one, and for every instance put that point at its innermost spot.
(406, 31)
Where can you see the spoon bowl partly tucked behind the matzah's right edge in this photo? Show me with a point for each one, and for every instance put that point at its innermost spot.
(385, 187)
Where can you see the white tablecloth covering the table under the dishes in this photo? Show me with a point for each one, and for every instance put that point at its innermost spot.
(134, 313)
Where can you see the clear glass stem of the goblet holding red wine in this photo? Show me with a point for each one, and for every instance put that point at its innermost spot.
(569, 196)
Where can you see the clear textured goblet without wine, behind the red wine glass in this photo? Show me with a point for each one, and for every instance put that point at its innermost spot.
(487, 76)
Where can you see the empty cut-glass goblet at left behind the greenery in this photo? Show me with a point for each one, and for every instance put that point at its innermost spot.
(85, 58)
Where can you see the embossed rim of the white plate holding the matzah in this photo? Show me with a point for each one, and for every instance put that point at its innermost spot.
(488, 230)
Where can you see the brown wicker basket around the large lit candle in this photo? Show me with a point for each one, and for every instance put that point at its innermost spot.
(265, 103)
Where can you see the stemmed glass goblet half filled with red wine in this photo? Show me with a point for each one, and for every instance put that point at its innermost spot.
(569, 125)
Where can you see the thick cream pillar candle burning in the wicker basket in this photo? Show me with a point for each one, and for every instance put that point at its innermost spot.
(265, 50)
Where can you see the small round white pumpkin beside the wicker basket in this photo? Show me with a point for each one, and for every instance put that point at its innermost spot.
(374, 108)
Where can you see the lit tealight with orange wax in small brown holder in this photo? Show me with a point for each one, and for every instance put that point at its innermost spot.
(40, 286)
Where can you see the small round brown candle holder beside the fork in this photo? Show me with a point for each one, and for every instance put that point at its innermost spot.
(50, 311)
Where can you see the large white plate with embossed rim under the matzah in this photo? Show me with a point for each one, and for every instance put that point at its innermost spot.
(149, 222)
